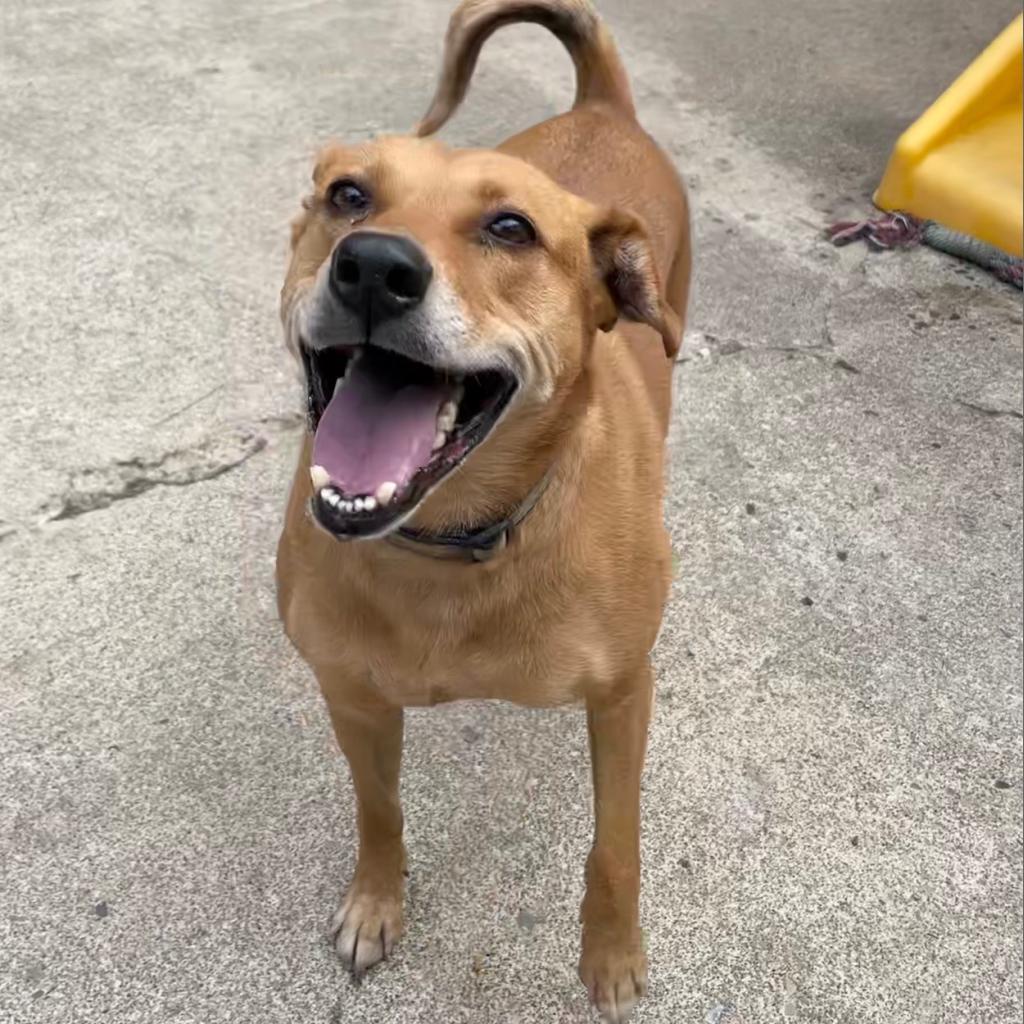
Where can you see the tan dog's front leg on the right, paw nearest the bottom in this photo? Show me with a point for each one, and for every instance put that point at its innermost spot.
(613, 965)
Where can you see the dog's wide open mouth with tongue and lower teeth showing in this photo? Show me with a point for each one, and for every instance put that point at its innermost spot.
(389, 430)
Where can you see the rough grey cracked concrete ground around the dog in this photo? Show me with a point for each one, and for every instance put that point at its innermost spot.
(833, 801)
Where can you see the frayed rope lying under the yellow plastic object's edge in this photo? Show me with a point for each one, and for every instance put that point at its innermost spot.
(901, 231)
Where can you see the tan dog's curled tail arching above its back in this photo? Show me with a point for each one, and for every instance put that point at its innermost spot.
(601, 76)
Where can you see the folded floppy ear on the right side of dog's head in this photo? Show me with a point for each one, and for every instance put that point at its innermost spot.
(628, 281)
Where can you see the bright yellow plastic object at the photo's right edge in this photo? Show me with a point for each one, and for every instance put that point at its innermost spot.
(962, 163)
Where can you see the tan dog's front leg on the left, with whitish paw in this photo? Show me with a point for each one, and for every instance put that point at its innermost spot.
(369, 921)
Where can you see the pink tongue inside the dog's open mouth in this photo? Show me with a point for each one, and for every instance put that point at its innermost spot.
(375, 431)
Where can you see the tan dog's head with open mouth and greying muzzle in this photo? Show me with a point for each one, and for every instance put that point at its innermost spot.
(438, 298)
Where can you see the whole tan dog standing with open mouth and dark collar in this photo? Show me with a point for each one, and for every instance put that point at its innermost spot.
(492, 443)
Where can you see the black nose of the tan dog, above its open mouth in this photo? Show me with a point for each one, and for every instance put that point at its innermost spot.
(379, 276)
